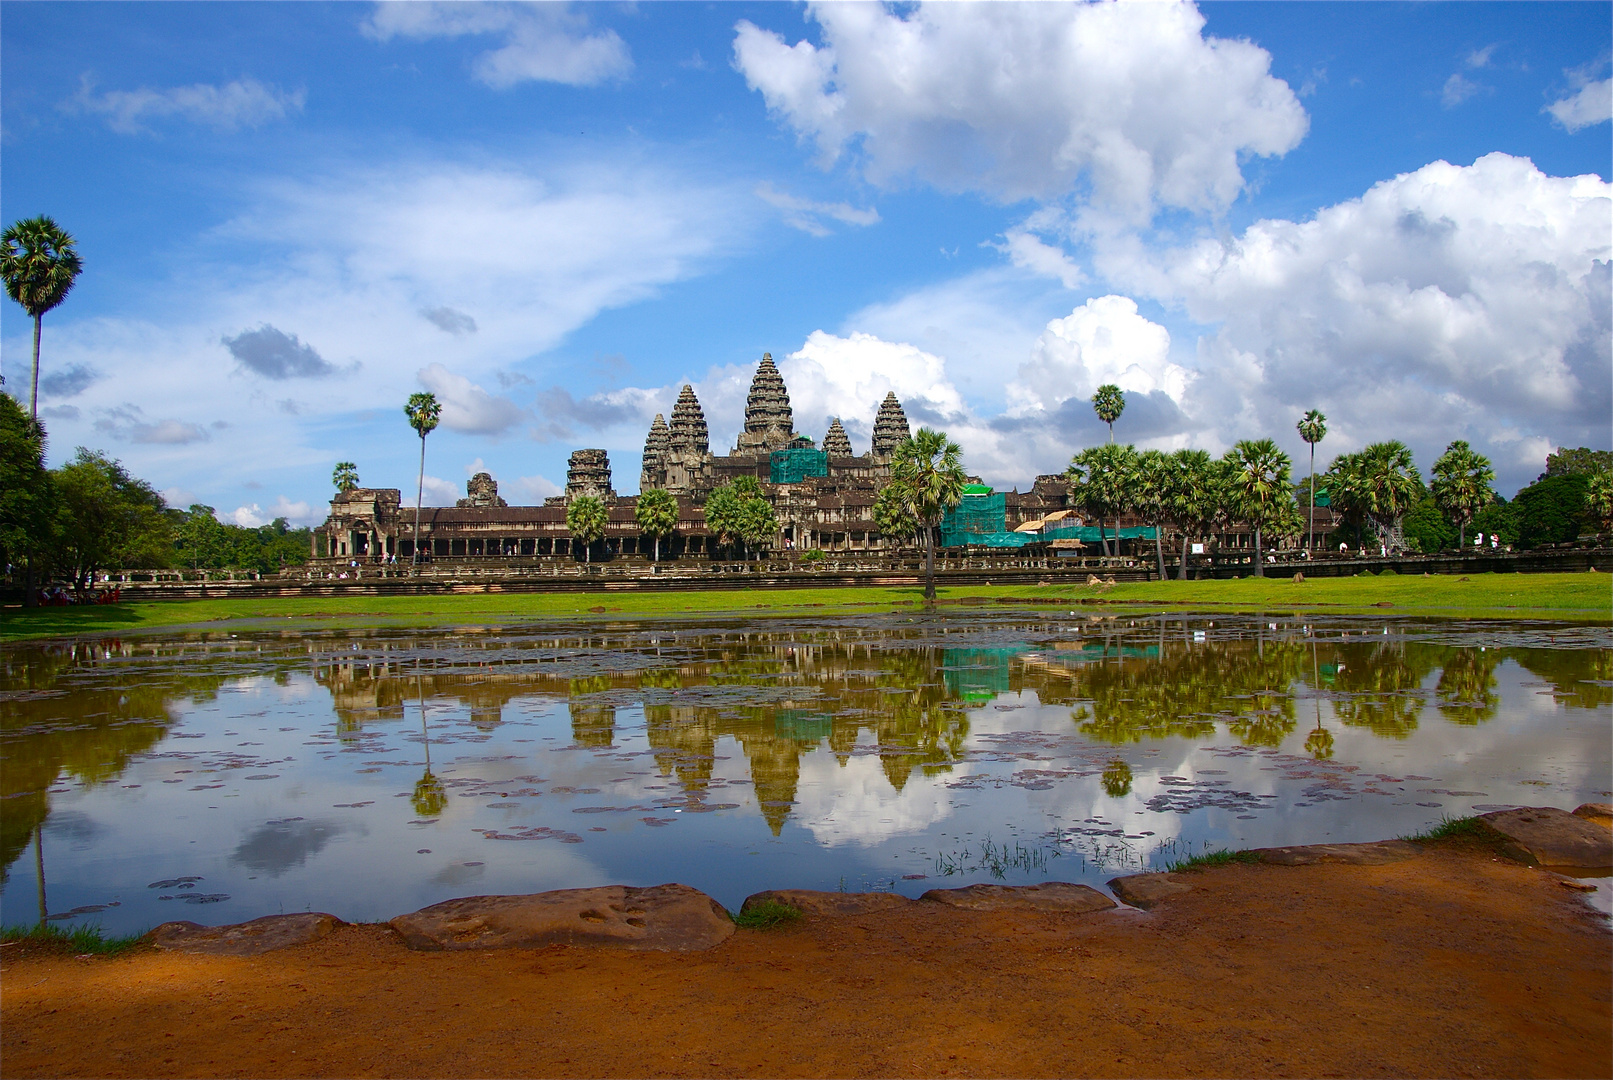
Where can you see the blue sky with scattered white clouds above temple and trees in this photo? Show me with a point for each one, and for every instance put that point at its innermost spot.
(552, 217)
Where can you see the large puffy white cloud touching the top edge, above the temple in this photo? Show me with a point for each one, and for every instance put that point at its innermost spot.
(1127, 104)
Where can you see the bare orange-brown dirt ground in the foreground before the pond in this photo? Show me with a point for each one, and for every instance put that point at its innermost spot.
(1451, 965)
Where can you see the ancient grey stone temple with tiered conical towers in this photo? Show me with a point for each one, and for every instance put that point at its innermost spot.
(822, 494)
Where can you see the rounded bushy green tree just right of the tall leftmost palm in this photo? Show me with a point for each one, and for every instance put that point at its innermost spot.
(107, 520)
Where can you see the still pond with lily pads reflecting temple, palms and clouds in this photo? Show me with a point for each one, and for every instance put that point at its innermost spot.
(228, 776)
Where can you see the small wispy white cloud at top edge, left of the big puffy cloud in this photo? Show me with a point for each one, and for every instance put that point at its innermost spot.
(543, 43)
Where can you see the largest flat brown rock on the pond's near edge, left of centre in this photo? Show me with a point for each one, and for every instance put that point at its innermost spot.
(662, 918)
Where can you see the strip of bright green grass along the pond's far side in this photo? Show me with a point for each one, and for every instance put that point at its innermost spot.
(1582, 597)
